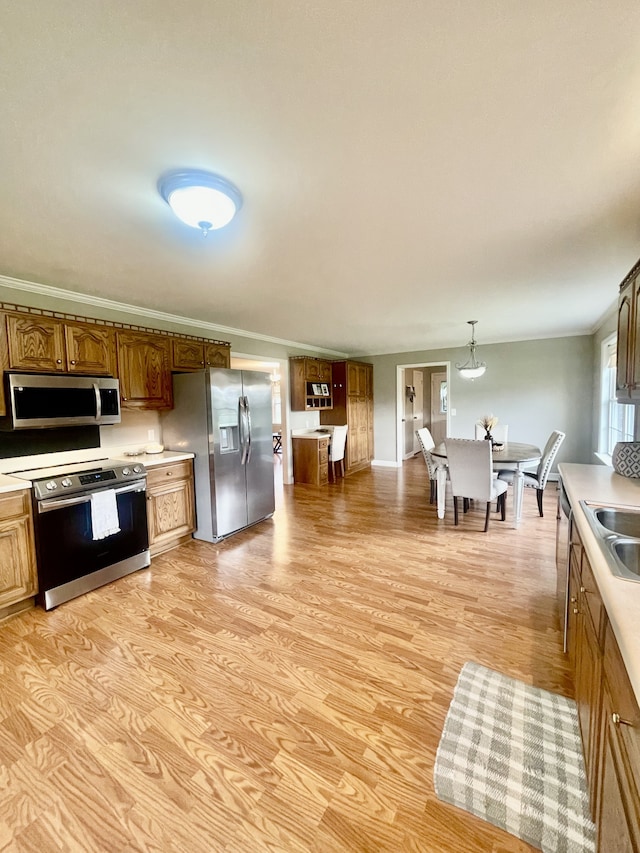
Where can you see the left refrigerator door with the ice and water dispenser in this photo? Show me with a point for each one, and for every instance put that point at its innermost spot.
(226, 437)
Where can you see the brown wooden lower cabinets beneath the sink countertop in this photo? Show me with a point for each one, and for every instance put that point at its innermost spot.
(607, 710)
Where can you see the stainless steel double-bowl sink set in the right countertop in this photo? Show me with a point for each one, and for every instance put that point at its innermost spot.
(617, 529)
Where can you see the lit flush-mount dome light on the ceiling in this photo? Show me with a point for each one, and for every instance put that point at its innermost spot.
(200, 199)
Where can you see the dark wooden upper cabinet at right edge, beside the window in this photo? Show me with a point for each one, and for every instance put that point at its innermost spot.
(628, 349)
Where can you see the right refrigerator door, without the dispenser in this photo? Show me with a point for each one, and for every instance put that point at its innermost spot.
(259, 465)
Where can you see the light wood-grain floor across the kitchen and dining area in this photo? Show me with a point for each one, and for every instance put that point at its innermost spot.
(284, 690)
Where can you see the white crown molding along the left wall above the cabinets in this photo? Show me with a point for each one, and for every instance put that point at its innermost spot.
(150, 313)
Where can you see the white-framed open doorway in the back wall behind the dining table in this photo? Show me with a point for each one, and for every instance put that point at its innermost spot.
(422, 400)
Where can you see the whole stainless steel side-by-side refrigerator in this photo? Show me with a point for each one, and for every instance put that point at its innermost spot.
(224, 417)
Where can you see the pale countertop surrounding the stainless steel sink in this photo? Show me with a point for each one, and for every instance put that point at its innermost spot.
(621, 598)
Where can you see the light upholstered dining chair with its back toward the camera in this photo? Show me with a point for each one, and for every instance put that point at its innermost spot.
(470, 470)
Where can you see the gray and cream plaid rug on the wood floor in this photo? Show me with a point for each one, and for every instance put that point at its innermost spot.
(511, 754)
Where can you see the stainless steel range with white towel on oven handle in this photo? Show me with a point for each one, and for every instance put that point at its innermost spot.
(90, 523)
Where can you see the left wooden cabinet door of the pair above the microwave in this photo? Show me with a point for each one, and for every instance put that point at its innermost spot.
(36, 343)
